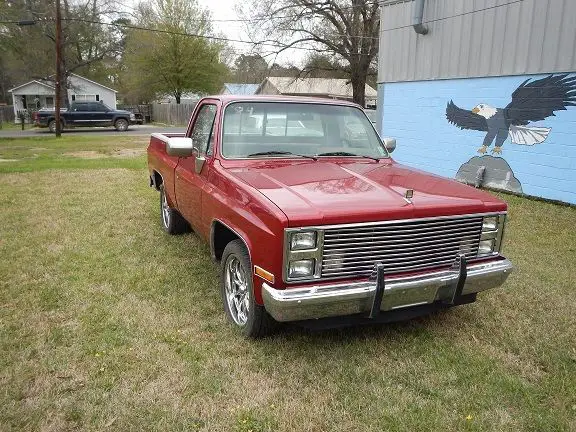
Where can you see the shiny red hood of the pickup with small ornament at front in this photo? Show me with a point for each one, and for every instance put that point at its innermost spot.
(330, 192)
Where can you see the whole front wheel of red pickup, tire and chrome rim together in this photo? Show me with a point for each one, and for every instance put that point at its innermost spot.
(238, 292)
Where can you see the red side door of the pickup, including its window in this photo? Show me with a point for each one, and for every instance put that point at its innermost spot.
(190, 183)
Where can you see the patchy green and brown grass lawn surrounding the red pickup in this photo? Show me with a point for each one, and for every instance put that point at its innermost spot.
(107, 323)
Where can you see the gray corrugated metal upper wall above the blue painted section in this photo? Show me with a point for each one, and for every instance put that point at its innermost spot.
(475, 38)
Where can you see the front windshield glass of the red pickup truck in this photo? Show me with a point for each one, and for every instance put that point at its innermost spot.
(276, 129)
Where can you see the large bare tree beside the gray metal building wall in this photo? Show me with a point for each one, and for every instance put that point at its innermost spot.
(346, 30)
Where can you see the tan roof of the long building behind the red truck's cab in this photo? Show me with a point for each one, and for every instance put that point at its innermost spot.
(338, 87)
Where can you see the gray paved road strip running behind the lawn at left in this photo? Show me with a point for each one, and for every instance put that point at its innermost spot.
(133, 130)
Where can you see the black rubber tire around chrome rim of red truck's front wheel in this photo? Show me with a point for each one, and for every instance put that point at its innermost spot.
(258, 323)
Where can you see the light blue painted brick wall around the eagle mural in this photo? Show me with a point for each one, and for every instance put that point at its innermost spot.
(415, 114)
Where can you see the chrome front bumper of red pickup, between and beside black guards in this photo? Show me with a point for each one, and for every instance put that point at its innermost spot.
(339, 299)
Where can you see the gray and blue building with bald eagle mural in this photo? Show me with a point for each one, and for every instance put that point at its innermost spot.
(483, 91)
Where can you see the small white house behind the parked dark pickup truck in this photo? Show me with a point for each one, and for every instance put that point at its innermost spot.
(37, 94)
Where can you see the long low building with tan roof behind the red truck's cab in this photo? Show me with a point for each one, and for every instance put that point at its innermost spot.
(332, 88)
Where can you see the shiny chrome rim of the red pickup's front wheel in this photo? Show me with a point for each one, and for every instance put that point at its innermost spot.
(236, 287)
